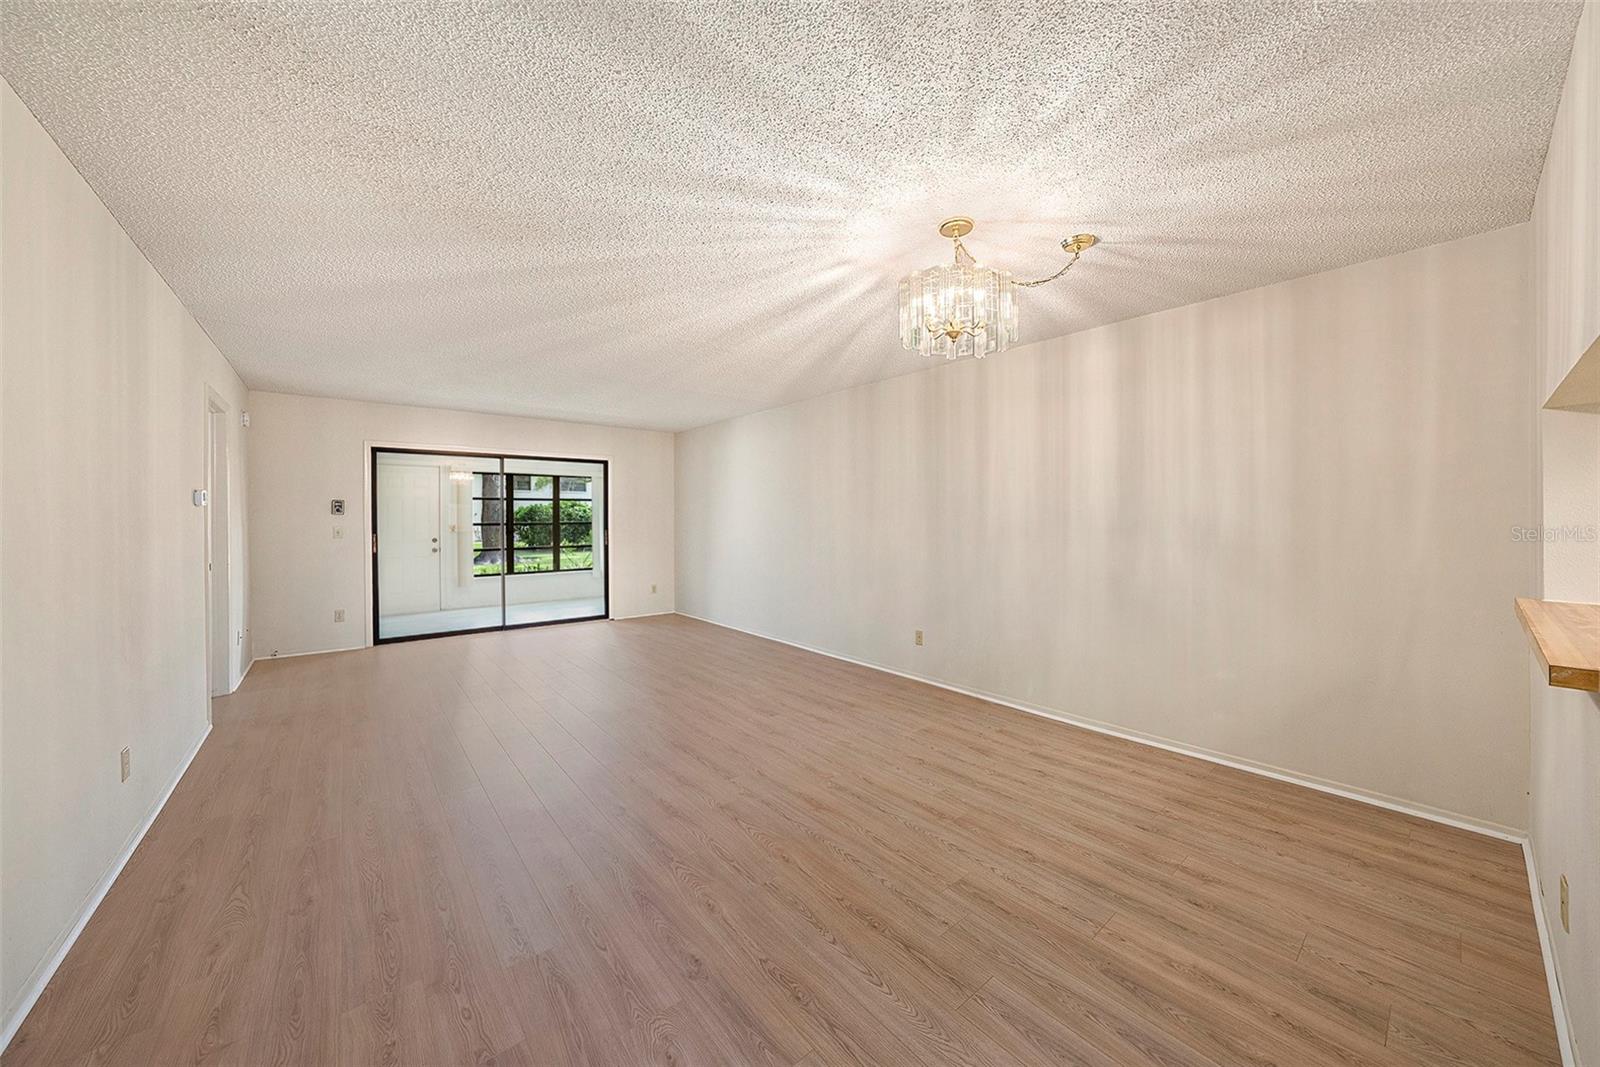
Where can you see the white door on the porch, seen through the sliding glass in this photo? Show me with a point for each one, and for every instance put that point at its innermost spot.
(407, 540)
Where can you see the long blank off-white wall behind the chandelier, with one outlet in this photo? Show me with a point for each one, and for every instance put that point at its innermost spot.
(1276, 526)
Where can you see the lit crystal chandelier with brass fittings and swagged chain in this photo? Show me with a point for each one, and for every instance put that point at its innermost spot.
(964, 308)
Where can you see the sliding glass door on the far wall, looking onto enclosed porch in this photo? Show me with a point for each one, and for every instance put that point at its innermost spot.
(468, 541)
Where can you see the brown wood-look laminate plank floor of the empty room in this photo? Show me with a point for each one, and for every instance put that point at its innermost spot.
(668, 842)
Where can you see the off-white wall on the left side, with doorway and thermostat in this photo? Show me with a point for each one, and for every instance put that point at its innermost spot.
(102, 553)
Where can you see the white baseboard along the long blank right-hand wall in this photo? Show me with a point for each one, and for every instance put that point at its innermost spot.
(1266, 770)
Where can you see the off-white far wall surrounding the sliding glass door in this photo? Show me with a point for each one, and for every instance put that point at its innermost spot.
(310, 450)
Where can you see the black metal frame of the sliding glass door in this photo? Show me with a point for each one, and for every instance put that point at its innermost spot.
(508, 535)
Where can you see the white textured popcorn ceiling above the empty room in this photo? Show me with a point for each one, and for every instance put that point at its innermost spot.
(670, 214)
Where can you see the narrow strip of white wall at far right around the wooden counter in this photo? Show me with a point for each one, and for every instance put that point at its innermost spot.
(1566, 775)
